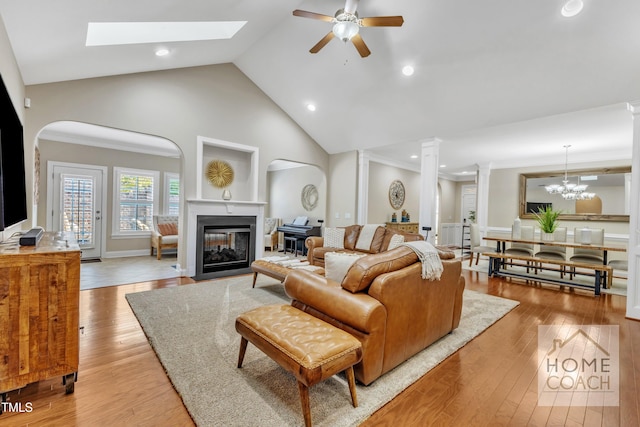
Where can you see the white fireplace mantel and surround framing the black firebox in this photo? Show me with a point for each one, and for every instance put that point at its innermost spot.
(197, 207)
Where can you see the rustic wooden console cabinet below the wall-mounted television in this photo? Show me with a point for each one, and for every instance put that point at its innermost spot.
(39, 302)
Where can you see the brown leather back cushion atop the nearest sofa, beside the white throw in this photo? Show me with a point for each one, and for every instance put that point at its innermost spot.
(362, 273)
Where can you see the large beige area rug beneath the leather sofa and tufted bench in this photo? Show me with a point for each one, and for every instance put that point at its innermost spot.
(192, 330)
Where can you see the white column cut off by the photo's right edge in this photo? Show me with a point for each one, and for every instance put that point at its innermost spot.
(633, 288)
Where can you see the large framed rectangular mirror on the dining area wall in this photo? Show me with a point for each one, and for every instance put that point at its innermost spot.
(611, 188)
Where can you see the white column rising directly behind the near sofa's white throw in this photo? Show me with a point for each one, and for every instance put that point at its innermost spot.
(430, 163)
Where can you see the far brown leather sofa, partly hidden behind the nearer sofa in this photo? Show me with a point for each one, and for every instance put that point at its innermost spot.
(380, 243)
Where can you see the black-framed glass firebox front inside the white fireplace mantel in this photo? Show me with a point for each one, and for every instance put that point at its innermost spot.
(225, 248)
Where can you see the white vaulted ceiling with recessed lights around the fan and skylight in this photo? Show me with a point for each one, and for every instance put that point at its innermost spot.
(502, 81)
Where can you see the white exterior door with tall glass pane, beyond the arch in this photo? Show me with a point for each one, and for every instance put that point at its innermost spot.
(75, 198)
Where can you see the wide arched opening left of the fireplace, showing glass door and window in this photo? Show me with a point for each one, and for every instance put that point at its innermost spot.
(79, 168)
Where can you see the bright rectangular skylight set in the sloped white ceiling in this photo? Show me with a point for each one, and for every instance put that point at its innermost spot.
(118, 33)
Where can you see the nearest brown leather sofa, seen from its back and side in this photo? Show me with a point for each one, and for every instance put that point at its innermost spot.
(384, 302)
